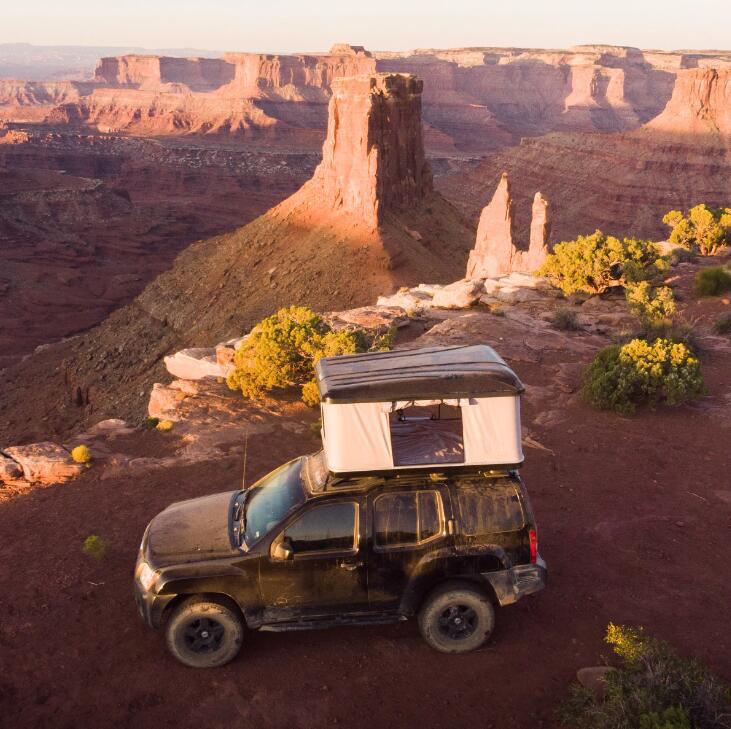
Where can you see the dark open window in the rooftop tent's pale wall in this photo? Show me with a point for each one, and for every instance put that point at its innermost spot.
(428, 434)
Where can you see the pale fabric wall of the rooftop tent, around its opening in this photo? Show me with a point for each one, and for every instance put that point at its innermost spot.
(357, 436)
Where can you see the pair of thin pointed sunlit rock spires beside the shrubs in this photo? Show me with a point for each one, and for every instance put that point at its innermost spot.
(495, 252)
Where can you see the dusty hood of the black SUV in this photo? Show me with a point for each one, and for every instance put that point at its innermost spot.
(191, 531)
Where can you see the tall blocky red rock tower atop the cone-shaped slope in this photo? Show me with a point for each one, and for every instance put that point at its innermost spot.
(373, 157)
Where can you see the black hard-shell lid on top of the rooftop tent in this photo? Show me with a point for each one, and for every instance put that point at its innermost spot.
(416, 374)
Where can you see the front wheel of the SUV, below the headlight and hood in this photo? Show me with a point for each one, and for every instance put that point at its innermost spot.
(202, 633)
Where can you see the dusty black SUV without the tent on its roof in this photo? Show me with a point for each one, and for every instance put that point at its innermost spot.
(302, 548)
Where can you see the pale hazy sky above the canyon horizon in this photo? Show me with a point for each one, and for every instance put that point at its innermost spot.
(311, 25)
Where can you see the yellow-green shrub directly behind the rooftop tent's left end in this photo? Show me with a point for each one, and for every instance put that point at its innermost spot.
(284, 348)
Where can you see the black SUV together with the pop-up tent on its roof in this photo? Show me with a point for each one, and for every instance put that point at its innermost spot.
(413, 508)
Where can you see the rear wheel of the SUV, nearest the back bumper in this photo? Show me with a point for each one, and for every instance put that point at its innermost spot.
(456, 619)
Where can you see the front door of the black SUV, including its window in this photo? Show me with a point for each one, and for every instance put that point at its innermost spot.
(323, 574)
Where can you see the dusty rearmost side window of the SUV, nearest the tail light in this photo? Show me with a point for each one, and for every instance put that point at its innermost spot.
(489, 508)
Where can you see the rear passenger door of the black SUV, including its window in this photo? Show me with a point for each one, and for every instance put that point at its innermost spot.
(407, 535)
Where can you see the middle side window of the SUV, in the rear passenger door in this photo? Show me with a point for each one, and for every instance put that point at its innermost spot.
(407, 518)
